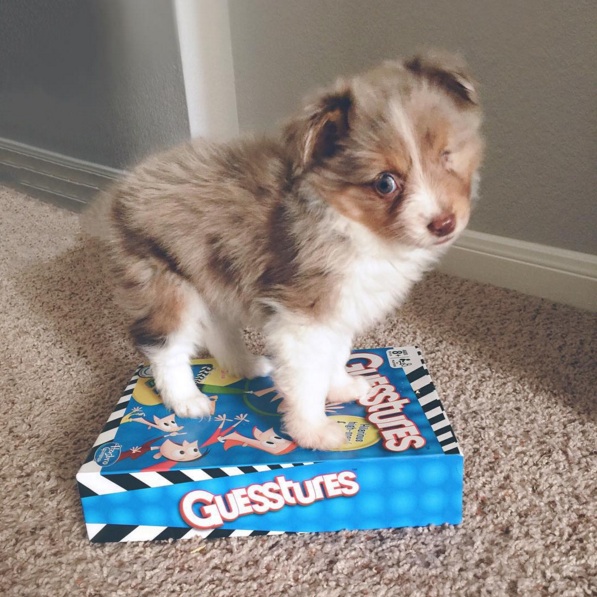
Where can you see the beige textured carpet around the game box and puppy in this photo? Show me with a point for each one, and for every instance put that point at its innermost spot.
(517, 375)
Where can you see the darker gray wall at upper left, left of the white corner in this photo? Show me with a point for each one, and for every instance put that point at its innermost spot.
(98, 80)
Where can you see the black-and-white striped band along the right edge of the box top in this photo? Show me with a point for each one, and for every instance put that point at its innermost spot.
(421, 383)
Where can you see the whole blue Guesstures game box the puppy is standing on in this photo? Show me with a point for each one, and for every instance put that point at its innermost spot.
(152, 475)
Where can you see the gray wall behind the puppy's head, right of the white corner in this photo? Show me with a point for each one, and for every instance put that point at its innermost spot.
(536, 61)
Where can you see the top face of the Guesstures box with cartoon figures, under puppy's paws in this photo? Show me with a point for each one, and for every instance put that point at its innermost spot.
(401, 415)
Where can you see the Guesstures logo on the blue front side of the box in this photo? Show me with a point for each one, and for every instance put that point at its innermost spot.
(215, 510)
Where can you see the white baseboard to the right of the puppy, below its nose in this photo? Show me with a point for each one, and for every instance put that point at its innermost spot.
(556, 274)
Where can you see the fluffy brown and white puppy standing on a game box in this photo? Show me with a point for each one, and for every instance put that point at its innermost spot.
(313, 236)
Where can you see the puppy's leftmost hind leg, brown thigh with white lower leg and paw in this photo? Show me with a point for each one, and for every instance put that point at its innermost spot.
(169, 335)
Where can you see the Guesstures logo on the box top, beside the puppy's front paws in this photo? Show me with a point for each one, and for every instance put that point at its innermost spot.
(385, 405)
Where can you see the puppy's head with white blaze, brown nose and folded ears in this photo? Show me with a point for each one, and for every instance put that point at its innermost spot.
(396, 149)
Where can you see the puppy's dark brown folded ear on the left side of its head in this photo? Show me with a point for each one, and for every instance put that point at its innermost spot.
(317, 132)
